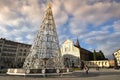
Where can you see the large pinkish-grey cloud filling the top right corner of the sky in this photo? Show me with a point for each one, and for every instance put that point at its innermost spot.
(94, 12)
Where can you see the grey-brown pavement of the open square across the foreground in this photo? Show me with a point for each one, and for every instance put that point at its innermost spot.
(102, 74)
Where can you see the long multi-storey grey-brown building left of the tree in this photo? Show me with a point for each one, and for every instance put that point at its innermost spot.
(12, 54)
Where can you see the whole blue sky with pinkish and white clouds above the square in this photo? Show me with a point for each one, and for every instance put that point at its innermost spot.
(96, 23)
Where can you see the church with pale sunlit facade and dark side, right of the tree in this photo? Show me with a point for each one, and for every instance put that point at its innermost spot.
(73, 53)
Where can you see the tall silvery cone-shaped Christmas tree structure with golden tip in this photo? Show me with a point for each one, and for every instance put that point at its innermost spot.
(45, 51)
